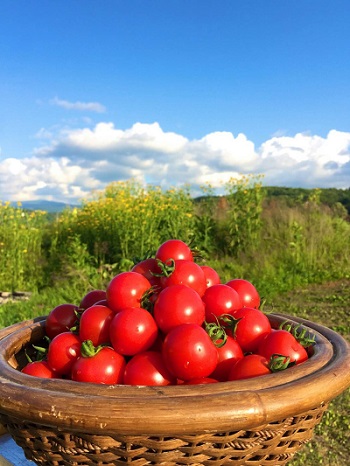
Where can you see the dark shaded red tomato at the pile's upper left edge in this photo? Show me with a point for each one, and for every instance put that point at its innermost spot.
(61, 319)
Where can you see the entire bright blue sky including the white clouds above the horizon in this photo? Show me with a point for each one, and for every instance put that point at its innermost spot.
(172, 92)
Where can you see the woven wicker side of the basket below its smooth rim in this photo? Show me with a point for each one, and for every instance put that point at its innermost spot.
(272, 444)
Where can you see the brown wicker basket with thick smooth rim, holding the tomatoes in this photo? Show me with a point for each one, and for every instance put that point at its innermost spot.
(260, 421)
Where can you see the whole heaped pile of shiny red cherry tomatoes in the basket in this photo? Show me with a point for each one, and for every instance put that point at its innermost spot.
(167, 321)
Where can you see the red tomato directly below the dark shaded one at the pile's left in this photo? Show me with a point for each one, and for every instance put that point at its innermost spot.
(63, 351)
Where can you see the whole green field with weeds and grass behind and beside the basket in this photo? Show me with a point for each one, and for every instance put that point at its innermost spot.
(295, 249)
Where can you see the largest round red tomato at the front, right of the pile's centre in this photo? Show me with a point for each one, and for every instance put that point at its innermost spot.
(189, 352)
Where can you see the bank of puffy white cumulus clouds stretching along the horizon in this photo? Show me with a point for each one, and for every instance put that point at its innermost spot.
(72, 163)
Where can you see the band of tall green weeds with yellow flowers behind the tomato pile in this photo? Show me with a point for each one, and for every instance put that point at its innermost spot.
(275, 244)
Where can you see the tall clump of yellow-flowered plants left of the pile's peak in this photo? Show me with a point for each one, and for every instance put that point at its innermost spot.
(127, 220)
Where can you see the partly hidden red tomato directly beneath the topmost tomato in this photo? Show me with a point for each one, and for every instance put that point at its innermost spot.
(186, 273)
